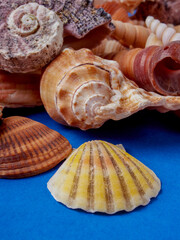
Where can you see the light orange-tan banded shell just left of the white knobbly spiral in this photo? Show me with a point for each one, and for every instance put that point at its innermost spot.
(130, 35)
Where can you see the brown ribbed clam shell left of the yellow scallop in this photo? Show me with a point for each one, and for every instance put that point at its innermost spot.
(28, 148)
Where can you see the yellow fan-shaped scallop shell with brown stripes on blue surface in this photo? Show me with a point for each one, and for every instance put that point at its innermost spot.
(101, 177)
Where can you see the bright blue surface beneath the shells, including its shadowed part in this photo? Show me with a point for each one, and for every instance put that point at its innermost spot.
(28, 211)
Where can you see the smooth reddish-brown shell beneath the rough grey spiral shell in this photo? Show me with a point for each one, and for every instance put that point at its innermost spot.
(20, 90)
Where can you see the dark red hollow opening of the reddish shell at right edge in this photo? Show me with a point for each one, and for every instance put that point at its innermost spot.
(167, 74)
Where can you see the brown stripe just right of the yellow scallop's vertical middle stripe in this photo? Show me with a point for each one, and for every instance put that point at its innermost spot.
(107, 183)
